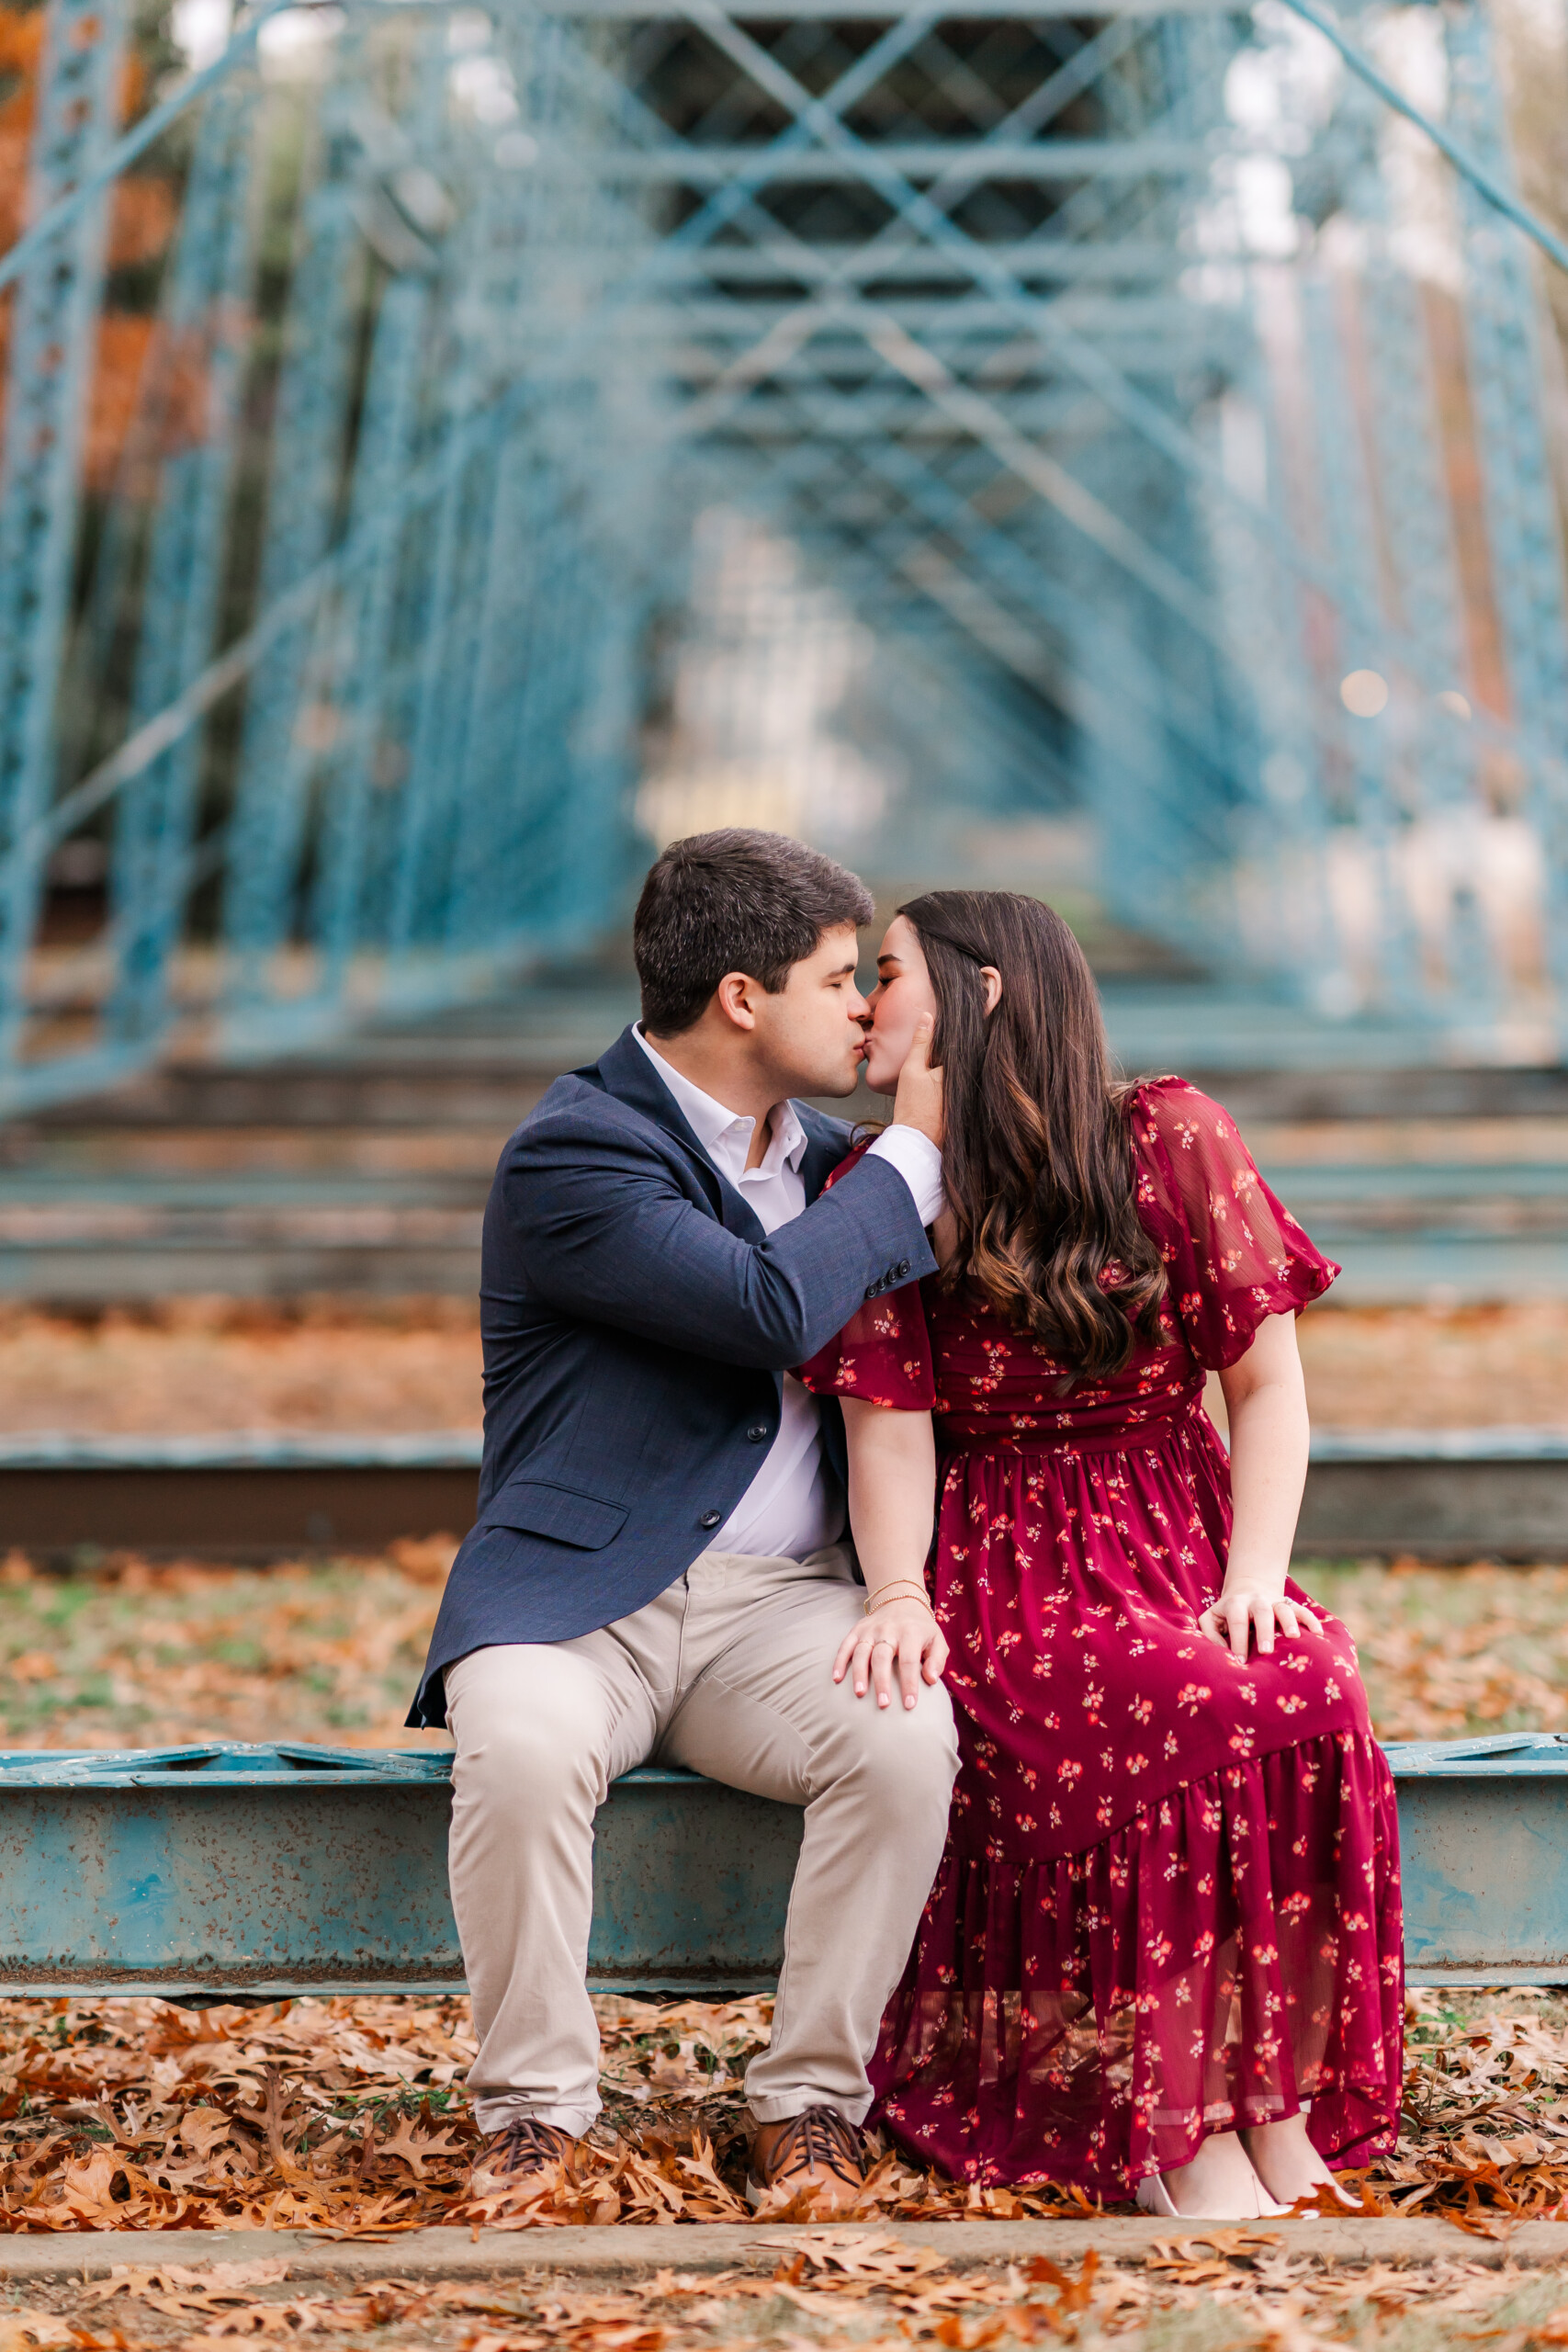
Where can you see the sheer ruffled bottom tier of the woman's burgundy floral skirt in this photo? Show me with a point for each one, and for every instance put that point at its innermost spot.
(1226, 1958)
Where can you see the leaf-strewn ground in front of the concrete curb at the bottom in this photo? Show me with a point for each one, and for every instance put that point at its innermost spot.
(1200, 2294)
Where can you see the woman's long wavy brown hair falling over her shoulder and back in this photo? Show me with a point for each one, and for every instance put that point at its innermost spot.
(1038, 1158)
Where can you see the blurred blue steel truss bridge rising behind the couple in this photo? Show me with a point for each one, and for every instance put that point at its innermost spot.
(1162, 392)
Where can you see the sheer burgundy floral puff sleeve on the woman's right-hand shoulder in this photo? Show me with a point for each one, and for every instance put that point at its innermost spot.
(1233, 1250)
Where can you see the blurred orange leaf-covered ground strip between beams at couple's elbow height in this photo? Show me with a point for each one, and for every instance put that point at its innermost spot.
(415, 1365)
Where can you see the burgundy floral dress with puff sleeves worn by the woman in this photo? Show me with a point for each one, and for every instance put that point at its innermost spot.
(1170, 1899)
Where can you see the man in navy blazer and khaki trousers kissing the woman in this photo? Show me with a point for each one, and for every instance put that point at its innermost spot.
(657, 1572)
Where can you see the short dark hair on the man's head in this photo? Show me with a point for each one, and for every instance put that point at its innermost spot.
(735, 902)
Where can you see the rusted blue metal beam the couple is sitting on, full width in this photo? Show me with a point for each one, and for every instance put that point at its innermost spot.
(234, 1871)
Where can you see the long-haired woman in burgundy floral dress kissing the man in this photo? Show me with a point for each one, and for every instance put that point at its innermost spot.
(1162, 1953)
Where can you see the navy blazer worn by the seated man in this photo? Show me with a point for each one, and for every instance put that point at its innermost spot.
(636, 1328)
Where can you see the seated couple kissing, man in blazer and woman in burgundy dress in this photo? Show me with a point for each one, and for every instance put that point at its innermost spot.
(876, 1476)
